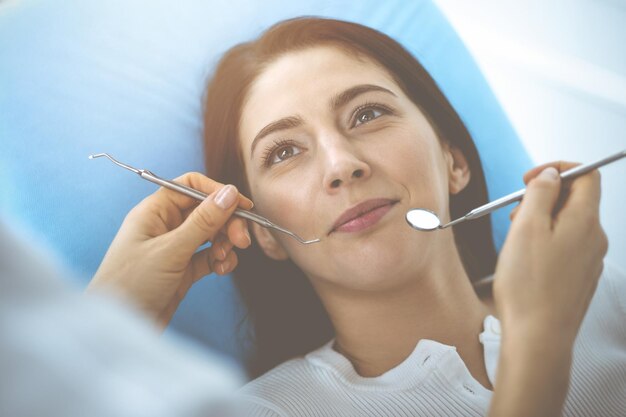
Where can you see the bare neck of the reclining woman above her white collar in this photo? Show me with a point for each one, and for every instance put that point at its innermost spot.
(376, 332)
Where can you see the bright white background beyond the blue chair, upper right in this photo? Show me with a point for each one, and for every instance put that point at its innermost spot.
(559, 69)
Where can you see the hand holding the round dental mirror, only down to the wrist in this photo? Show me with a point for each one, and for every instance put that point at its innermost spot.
(552, 258)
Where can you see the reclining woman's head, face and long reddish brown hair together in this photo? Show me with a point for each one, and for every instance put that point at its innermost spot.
(308, 96)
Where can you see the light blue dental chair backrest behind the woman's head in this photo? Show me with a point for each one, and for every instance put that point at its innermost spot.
(127, 77)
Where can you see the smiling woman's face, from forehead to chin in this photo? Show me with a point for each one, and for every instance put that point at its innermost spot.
(333, 149)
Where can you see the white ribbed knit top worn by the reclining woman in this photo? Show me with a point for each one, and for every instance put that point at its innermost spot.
(434, 381)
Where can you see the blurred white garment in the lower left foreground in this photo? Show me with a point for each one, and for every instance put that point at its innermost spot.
(63, 353)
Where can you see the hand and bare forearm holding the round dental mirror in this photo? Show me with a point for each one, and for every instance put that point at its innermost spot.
(545, 278)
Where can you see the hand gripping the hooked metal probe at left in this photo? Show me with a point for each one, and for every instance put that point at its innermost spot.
(153, 261)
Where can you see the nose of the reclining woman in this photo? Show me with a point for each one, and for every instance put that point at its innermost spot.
(343, 167)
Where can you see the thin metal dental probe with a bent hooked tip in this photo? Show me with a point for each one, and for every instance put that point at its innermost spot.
(198, 195)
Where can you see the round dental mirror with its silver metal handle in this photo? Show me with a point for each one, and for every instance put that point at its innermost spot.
(426, 220)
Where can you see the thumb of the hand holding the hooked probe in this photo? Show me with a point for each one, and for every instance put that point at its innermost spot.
(206, 220)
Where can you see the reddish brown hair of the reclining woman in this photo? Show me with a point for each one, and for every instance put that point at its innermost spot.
(286, 315)
